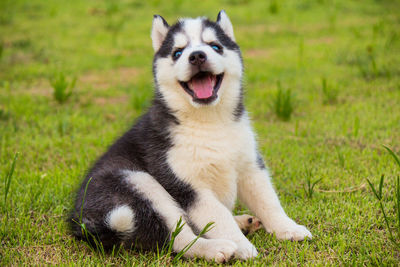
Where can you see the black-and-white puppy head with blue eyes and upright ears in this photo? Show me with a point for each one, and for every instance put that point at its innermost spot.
(196, 60)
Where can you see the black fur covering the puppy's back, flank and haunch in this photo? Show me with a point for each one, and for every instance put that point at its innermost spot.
(142, 148)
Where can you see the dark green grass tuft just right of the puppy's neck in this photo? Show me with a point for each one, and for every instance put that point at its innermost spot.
(283, 103)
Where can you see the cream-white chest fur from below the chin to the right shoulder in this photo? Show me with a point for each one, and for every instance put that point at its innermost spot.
(215, 148)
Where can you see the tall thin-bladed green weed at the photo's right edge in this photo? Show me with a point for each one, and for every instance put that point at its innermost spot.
(378, 193)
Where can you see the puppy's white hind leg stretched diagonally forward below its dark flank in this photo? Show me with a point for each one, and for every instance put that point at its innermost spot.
(220, 250)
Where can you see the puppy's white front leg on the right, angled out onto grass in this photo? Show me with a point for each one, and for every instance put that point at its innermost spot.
(256, 192)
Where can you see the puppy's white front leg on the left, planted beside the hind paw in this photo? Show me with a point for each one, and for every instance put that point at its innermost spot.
(209, 209)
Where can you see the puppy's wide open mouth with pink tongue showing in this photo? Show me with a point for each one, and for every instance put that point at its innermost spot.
(203, 87)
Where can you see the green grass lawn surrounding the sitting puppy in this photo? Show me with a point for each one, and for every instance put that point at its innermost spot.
(354, 45)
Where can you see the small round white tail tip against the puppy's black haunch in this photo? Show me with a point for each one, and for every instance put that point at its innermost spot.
(121, 219)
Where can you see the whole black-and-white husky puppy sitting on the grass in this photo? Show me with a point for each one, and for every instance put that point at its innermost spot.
(190, 156)
